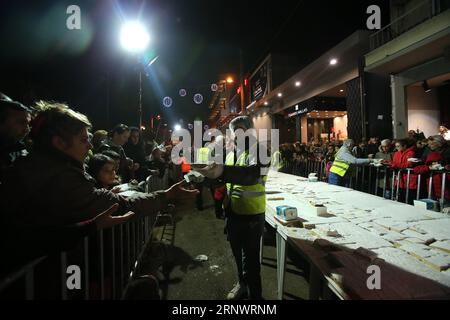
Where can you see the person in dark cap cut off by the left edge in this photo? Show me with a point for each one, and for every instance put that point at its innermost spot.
(14, 127)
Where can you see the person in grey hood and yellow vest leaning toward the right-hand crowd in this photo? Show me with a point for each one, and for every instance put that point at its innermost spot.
(339, 172)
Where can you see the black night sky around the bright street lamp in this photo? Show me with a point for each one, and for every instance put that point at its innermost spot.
(198, 43)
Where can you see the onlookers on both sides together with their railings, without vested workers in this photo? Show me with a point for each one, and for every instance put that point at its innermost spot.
(67, 193)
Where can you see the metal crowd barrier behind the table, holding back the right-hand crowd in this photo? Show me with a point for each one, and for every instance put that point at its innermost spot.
(380, 181)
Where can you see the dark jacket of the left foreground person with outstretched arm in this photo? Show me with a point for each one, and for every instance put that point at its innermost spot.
(51, 189)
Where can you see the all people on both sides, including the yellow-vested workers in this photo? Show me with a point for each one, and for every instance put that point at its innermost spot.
(61, 183)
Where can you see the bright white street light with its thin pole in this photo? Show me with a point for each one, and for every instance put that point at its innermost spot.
(135, 38)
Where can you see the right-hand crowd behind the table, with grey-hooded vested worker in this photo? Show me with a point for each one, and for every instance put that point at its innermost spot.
(416, 152)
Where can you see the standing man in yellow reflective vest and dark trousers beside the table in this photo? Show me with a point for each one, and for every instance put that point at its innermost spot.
(245, 206)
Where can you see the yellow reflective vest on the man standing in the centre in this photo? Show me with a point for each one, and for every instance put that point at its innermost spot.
(245, 200)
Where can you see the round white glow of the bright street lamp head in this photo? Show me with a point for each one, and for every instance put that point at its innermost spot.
(134, 37)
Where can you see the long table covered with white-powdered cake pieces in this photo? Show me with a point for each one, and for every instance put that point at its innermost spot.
(407, 238)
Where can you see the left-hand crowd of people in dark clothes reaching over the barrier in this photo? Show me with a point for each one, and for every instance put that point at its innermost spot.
(57, 188)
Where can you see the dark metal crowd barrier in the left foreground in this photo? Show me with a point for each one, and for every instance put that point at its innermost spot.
(121, 247)
